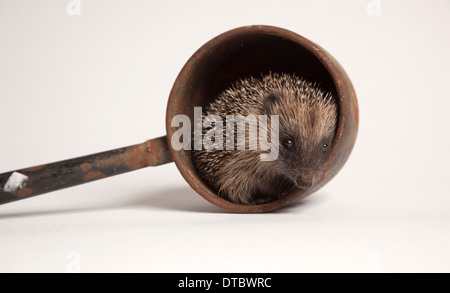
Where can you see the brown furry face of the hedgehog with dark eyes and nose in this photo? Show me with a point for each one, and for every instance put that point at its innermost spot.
(307, 128)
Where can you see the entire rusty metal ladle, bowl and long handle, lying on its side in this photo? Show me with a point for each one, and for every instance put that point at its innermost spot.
(245, 51)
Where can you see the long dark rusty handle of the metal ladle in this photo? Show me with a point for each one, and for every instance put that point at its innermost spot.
(26, 183)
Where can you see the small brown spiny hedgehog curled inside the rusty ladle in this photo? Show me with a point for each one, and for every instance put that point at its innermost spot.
(307, 125)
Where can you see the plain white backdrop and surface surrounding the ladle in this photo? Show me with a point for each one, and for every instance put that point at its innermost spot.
(76, 85)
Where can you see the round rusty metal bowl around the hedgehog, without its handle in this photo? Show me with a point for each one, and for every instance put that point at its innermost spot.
(253, 50)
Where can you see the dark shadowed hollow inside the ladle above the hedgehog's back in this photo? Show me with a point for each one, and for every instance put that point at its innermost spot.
(251, 55)
